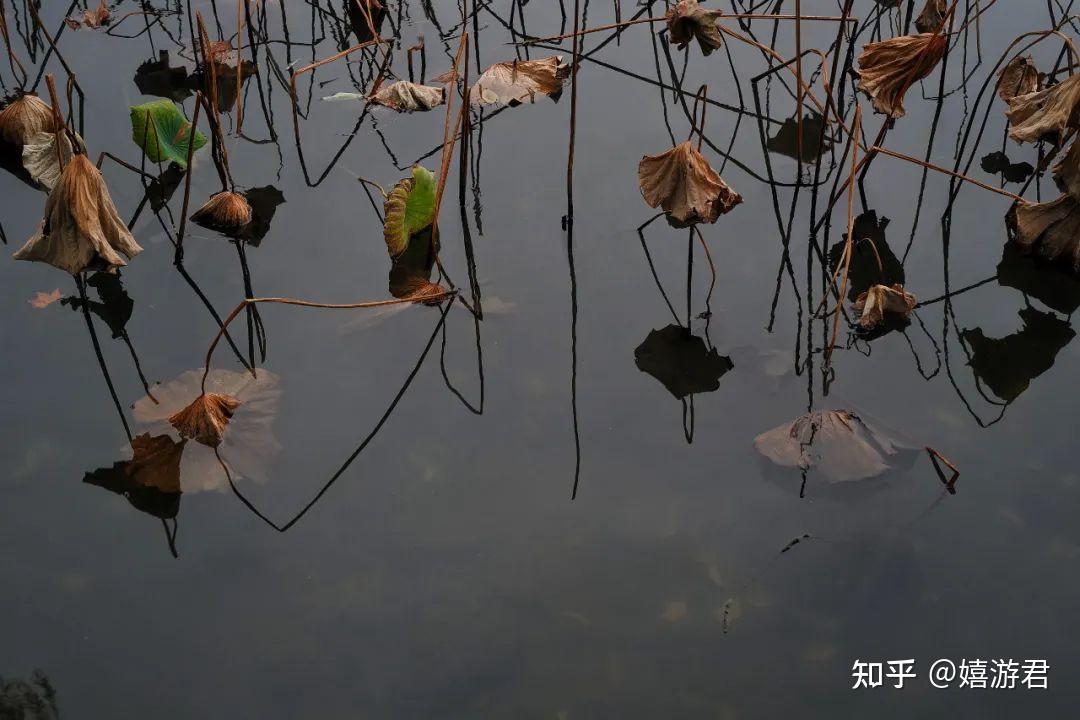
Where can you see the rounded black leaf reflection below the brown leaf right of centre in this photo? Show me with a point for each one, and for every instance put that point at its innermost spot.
(682, 362)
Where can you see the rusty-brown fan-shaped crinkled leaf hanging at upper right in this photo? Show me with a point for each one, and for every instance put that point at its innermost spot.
(888, 70)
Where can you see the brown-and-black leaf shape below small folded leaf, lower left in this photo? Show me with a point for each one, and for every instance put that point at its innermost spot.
(151, 481)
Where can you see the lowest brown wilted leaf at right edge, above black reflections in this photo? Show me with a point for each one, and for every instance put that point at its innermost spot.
(1051, 230)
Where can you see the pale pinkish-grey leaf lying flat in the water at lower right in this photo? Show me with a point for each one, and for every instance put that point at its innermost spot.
(839, 444)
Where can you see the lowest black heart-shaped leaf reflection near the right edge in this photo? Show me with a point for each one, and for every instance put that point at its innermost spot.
(1009, 365)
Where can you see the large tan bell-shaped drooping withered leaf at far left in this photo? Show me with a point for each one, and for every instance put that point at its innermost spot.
(82, 229)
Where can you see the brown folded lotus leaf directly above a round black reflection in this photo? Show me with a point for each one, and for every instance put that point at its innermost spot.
(685, 185)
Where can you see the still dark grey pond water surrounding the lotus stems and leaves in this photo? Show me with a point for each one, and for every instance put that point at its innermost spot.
(557, 511)
